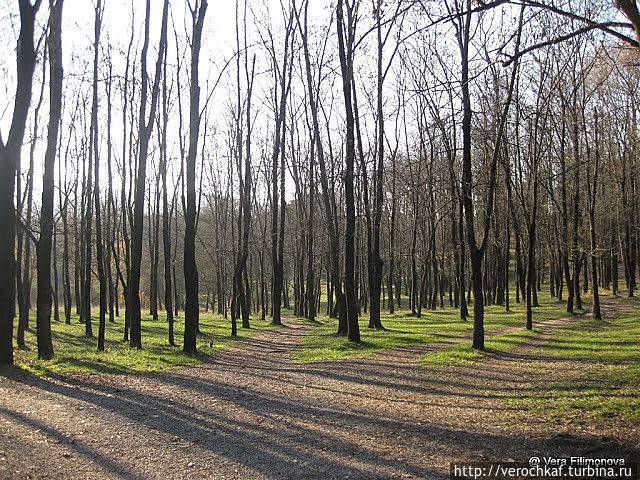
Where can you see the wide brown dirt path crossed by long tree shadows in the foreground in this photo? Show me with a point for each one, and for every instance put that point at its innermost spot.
(252, 414)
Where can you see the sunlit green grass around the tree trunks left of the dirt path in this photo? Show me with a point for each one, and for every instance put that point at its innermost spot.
(76, 353)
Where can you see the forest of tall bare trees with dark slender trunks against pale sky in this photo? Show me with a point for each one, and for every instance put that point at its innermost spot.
(343, 159)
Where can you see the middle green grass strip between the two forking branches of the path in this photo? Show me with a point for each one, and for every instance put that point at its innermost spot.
(404, 329)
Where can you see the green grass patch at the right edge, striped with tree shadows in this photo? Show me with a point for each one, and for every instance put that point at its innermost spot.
(606, 385)
